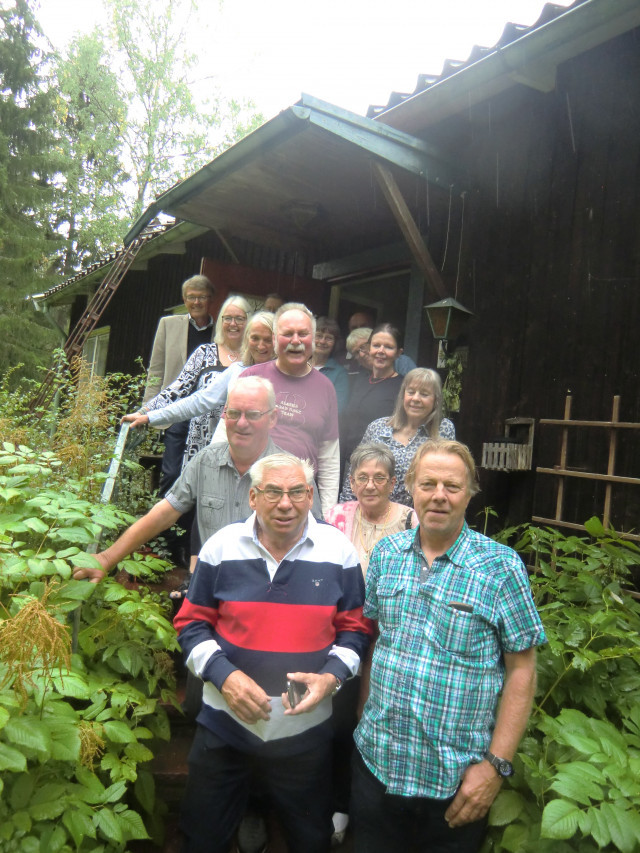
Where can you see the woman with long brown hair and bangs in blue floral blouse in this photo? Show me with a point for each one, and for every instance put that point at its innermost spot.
(417, 417)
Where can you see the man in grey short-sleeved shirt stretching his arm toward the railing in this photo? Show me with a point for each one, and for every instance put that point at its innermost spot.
(216, 480)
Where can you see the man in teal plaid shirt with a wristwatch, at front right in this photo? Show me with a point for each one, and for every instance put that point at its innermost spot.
(453, 671)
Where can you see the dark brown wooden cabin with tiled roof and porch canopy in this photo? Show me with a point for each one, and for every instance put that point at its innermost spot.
(511, 182)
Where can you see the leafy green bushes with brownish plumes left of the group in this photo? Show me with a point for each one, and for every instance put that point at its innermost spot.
(85, 669)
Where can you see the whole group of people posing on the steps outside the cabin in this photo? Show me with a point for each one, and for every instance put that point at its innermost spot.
(364, 654)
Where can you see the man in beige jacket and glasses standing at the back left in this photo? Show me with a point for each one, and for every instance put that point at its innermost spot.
(176, 338)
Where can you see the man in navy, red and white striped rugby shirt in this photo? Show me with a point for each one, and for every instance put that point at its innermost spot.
(273, 600)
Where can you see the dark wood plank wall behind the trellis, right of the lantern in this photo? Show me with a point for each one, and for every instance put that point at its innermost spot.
(551, 265)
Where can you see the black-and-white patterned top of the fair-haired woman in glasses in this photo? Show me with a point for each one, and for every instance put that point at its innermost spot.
(200, 369)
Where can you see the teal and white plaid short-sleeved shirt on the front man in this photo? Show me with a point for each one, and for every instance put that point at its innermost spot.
(438, 668)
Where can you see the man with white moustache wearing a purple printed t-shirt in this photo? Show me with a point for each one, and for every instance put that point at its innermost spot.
(306, 400)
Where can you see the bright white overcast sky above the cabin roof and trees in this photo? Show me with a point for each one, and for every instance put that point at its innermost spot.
(351, 53)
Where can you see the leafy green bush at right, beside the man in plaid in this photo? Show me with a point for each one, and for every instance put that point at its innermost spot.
(576, 783)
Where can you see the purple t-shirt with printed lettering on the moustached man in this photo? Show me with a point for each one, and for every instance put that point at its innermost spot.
(307, 410)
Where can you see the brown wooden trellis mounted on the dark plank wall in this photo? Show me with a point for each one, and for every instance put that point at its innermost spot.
(610, 478)
